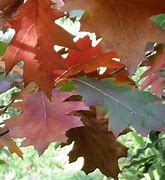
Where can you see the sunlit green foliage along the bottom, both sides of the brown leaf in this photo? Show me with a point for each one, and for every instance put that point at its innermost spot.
(53, 164)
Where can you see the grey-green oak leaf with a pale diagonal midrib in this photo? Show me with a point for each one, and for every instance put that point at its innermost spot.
(142, 110)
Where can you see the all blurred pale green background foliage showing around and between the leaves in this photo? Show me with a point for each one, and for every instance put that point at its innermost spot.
(146, 155)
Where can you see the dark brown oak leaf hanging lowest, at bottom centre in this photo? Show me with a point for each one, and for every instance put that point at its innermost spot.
(96, 145)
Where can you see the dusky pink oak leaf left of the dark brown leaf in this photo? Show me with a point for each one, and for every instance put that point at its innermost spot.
(43, 121)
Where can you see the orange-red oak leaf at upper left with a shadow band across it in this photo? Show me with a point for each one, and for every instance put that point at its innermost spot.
(36, 34)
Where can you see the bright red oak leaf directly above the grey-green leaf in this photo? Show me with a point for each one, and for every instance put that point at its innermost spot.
(89, 58)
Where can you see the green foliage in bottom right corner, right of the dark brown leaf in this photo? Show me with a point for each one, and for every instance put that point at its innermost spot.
(145, 158)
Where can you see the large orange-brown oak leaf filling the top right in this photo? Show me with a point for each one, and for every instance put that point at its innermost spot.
(125, 26)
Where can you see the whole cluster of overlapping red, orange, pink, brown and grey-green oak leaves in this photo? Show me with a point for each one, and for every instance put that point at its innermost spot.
(64, 94)
